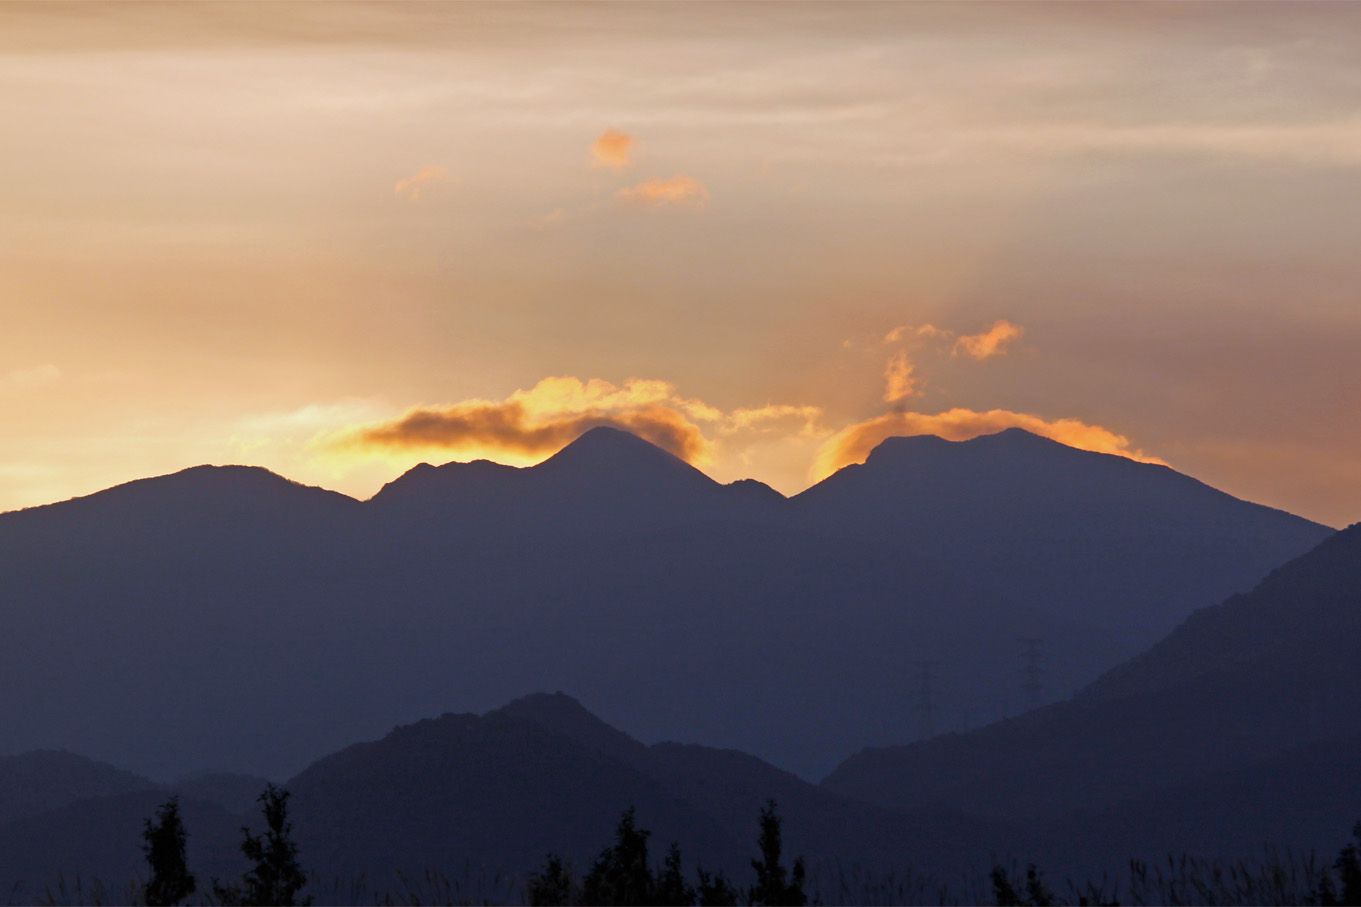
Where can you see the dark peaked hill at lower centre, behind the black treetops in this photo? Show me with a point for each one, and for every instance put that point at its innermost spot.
(544, 776)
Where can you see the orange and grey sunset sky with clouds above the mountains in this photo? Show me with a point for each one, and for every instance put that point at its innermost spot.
(342, 240)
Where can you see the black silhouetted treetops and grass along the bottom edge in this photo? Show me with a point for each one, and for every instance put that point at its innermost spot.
(625, 874)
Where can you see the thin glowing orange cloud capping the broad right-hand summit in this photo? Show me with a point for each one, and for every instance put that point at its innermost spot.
(854, 443)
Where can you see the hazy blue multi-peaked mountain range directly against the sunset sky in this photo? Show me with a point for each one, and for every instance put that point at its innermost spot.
(227, 619)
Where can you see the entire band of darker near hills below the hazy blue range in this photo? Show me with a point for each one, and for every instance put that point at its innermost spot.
(1236, 733)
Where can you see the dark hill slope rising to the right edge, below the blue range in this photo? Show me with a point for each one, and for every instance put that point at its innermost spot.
(1242, 729)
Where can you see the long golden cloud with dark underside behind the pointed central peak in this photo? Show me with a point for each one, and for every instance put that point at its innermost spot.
(537, 423)
